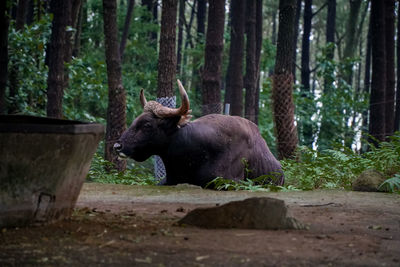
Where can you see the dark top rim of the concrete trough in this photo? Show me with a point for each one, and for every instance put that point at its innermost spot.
(35, 124)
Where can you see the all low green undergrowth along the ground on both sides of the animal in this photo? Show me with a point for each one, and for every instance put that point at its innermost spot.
(331, 168)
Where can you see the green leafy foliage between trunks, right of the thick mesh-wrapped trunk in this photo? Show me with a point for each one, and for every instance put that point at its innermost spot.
(340, 105)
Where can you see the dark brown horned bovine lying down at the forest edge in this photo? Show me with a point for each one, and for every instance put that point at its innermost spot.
(196, 152)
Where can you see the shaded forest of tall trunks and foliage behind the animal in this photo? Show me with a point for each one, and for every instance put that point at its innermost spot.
(322, 75)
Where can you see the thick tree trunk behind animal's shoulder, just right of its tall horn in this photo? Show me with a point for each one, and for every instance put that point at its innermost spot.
(213, 58)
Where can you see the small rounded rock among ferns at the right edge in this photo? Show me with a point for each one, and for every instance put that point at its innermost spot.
(368, 181)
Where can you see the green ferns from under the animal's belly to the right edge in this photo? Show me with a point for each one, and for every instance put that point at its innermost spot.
(330, 168)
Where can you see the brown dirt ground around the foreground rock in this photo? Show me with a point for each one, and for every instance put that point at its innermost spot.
(116, 225)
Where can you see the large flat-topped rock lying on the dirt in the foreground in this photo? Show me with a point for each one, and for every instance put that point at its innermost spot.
(251, 213)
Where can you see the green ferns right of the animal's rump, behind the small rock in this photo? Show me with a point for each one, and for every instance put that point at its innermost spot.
(337, 168)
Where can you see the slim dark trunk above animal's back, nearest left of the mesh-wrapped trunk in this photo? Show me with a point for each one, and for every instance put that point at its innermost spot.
(251, 75)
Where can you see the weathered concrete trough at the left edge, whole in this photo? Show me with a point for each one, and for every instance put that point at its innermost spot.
(43, 164)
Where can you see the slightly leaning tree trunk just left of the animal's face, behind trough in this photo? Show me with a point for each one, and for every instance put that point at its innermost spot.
(116, 111)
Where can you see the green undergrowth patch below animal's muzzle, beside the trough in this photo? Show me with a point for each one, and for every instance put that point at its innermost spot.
(135, 175)
